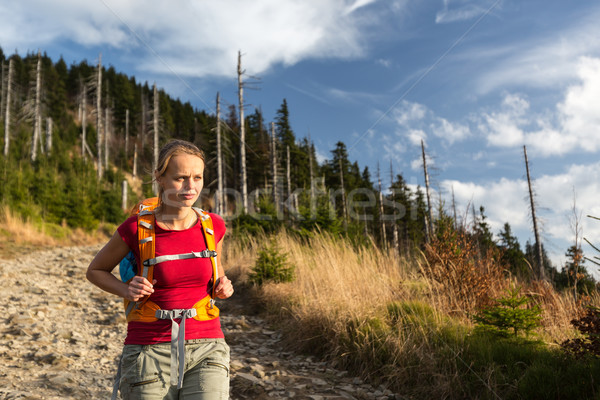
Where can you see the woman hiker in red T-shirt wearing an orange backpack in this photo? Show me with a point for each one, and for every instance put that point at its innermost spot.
(174, 348)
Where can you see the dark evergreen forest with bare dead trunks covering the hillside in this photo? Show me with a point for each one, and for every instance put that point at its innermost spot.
(71, 134)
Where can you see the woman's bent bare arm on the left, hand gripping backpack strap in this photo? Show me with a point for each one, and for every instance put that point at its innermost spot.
(100, 272)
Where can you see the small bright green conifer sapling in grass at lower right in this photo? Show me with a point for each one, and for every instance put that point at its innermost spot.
(513, 314)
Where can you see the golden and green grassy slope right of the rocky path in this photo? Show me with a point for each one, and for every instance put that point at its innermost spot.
(381, 317)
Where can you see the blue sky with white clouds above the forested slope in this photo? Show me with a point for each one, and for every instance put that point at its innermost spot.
(476, 80)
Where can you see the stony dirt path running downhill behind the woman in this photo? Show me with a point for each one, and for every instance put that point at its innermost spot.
(60, 338)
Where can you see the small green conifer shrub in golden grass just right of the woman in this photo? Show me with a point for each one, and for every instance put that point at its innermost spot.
(271, 266)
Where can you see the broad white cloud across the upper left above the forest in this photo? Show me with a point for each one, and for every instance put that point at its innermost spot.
(194, 38)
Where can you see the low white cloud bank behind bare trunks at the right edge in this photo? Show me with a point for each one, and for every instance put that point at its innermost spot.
(507, 201)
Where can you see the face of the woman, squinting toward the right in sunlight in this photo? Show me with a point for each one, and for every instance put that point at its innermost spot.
(182, 181)
